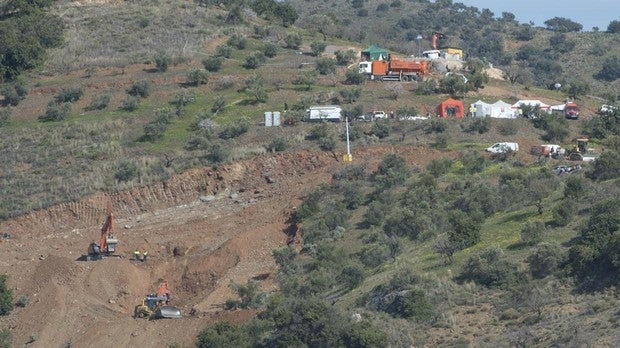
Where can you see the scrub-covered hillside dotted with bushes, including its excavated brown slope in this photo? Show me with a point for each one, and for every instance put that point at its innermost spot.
(424, 239)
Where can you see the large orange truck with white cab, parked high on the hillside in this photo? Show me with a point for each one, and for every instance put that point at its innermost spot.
(394, 69)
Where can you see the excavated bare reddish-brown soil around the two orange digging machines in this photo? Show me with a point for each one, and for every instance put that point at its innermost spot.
(223, 223)
